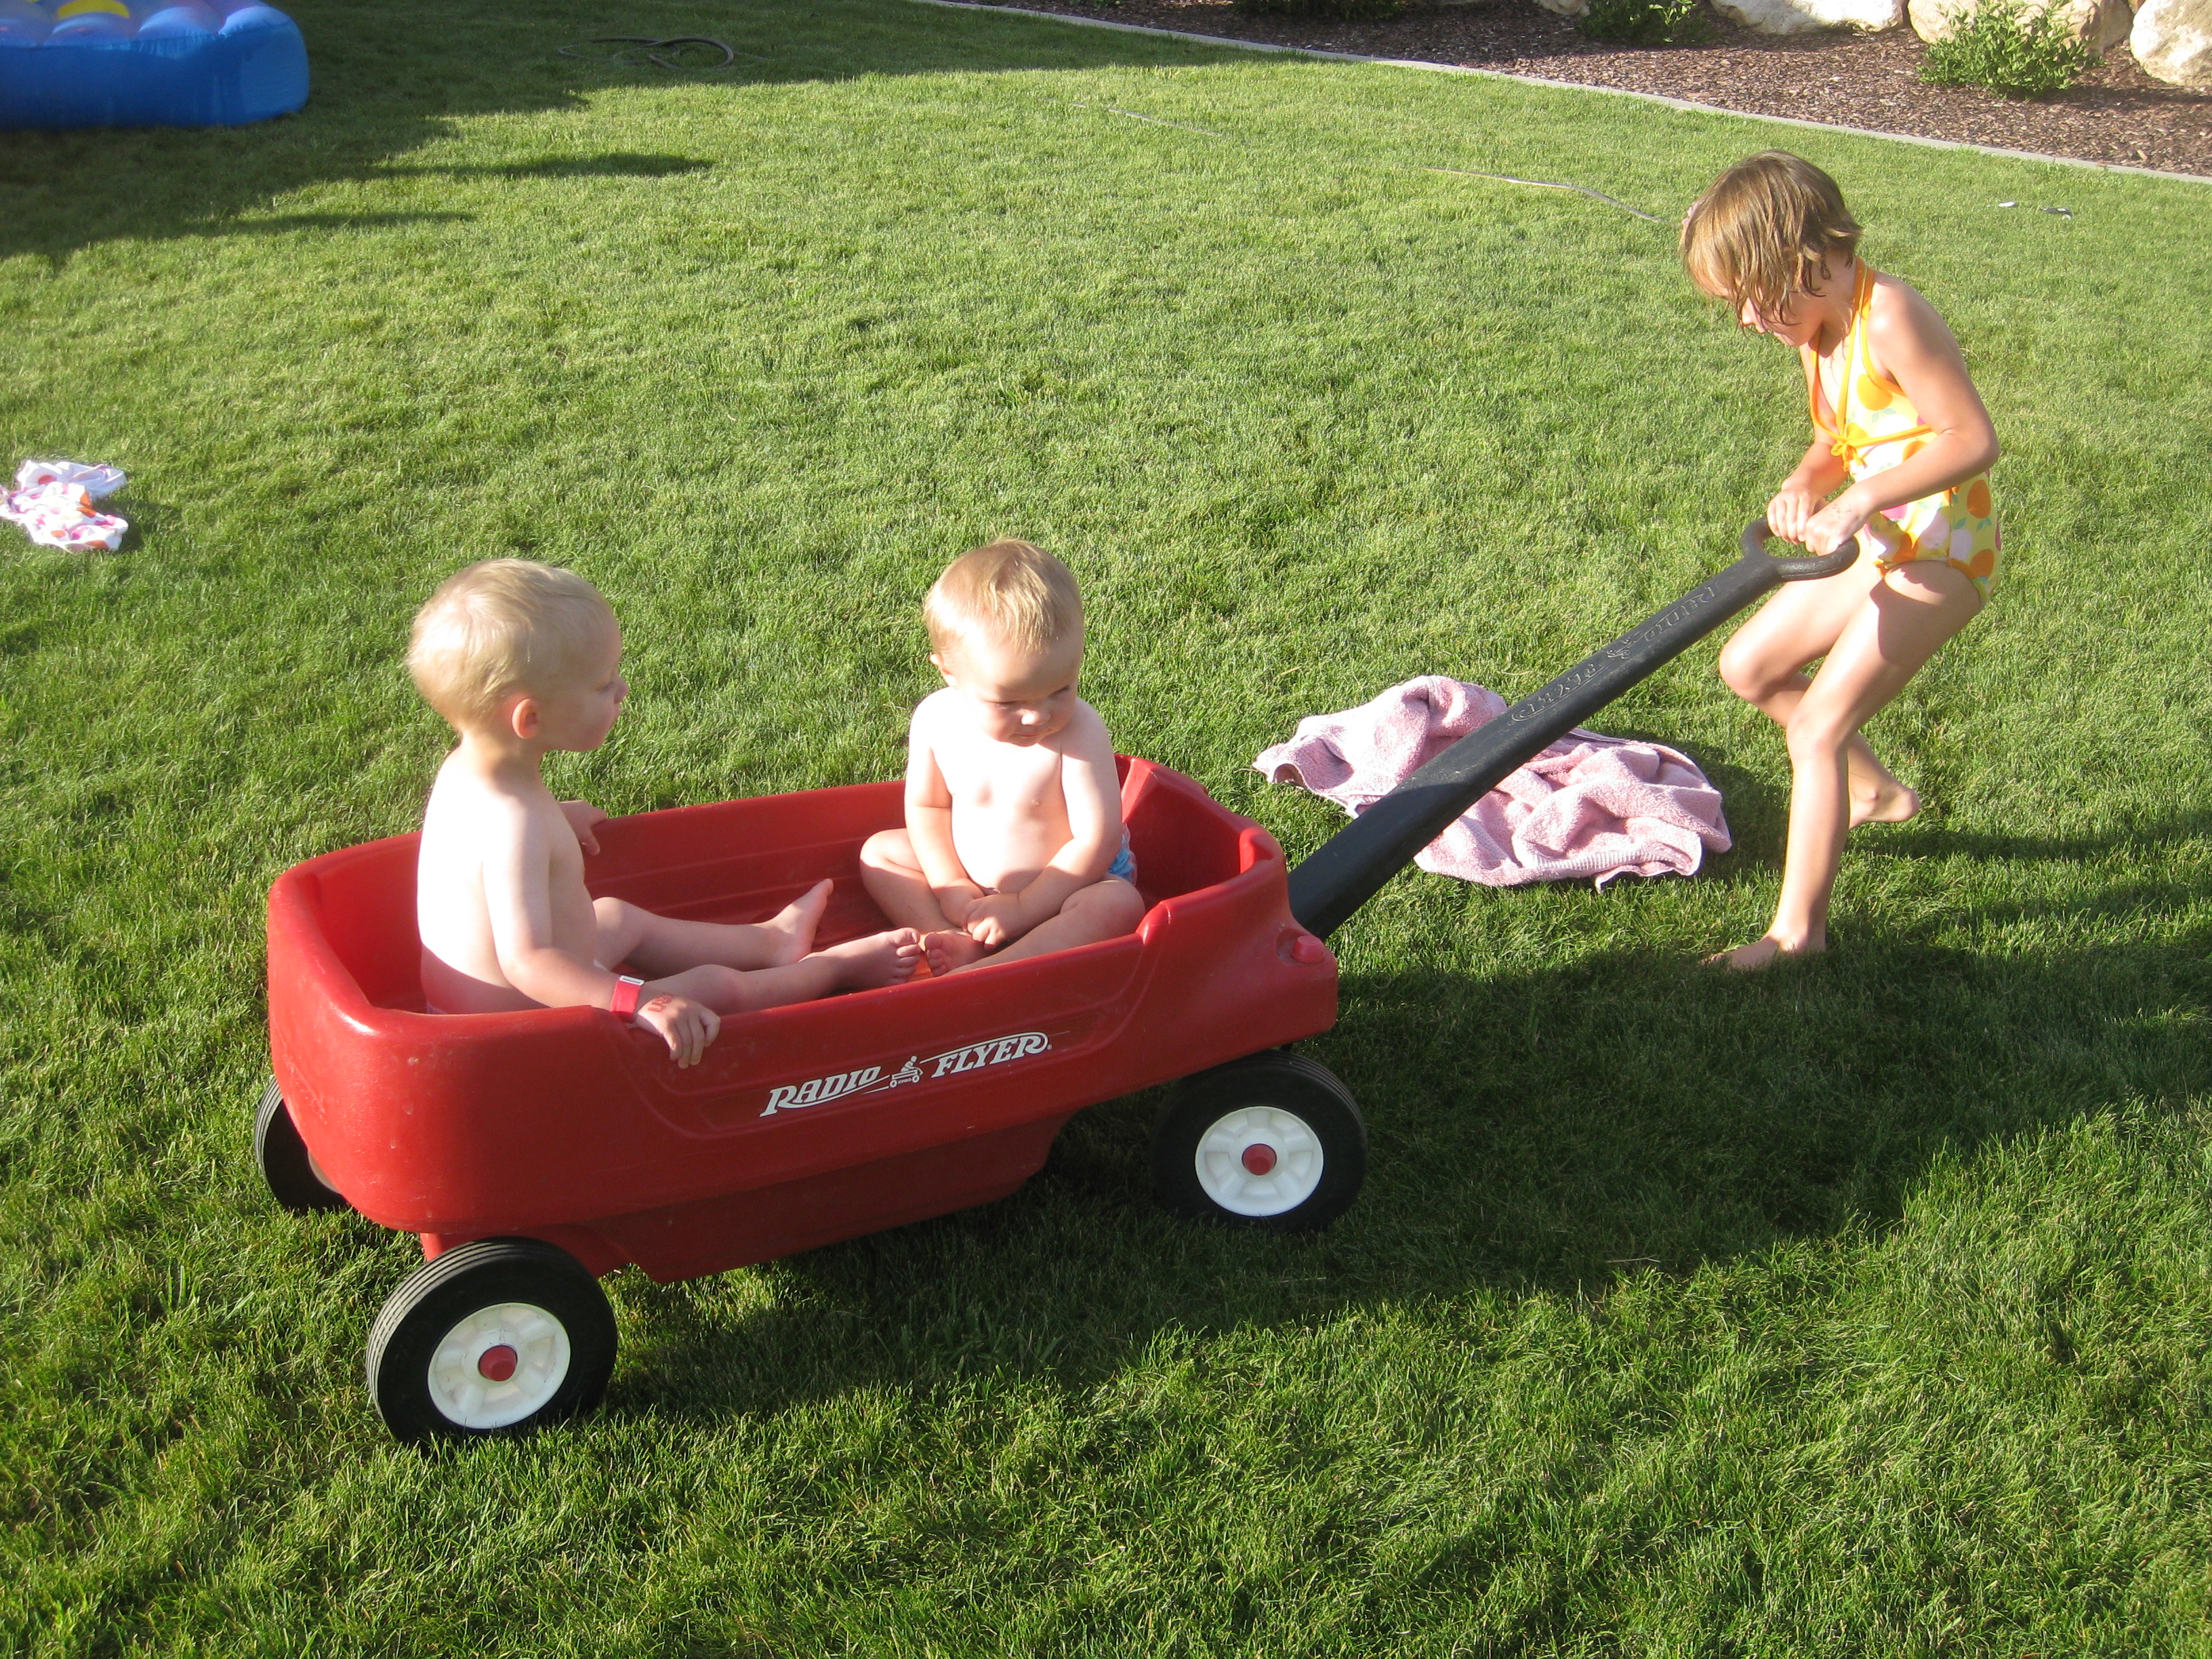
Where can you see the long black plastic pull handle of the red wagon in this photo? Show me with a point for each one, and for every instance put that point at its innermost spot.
(1353, 866)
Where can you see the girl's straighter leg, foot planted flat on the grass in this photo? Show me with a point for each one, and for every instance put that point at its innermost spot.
(1903, 623)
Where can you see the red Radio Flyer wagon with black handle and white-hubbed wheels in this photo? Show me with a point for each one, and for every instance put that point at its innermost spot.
(536, 1151)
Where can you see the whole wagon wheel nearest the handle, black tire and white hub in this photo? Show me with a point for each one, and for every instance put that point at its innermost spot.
(1266, 1142)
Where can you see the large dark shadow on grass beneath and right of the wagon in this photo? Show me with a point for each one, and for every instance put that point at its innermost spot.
(1538, 1134)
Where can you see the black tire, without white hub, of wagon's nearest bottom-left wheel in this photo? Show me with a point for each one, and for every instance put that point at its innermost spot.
(463, 1282)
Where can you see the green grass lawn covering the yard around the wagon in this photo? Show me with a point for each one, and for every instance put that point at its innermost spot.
(1861, 1308)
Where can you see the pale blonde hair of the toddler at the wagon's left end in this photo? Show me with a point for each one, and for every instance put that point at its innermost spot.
(503, 627)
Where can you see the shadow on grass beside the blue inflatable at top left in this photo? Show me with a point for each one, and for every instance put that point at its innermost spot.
(393, 81)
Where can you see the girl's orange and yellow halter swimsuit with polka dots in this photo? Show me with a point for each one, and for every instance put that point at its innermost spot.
(1877, 428)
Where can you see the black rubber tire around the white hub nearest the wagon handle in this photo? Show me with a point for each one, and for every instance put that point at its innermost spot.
(1291, 1085)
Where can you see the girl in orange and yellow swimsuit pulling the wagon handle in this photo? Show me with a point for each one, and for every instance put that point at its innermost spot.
(1899, 424)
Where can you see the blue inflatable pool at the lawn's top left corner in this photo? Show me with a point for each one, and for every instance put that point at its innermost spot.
(149, 63)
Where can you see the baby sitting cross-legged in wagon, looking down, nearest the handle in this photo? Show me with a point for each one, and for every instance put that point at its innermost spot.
(1014, 839)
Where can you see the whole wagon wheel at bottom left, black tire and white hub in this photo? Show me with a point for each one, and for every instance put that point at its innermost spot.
(494, 1337)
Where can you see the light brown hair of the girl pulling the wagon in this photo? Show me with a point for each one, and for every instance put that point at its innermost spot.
(1764, 229)
